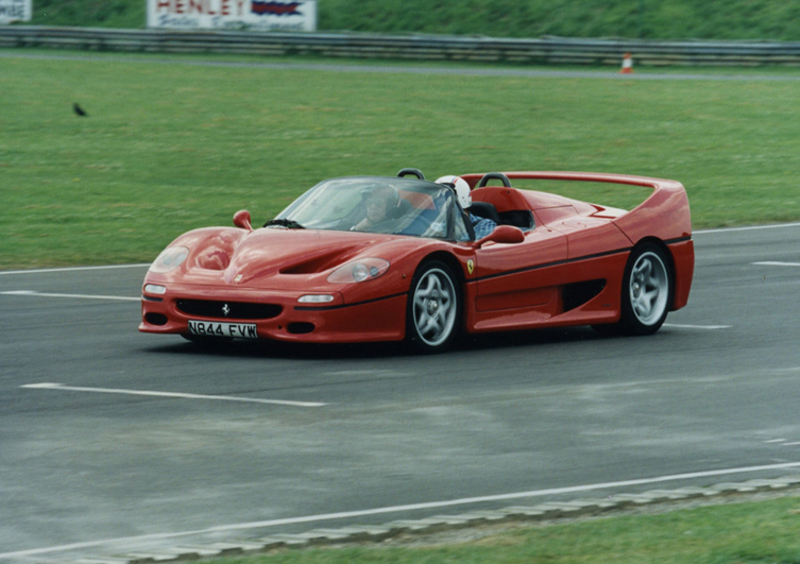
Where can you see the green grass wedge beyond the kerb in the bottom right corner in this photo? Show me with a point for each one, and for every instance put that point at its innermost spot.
(746, 533)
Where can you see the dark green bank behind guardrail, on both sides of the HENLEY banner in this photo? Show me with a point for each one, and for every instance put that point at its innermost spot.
(650, 19)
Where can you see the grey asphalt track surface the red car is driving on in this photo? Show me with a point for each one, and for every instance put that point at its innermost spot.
(112, 440)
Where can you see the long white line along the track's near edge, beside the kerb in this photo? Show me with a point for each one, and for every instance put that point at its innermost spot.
(405, 508)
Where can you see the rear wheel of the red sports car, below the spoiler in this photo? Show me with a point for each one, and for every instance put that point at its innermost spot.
(646, 290)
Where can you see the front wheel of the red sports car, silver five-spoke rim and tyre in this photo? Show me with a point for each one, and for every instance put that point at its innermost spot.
(434, 308)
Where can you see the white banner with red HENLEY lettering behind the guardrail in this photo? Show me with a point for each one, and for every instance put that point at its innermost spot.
(246, 15)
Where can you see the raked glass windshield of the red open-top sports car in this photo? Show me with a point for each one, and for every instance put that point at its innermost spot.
(394, 205)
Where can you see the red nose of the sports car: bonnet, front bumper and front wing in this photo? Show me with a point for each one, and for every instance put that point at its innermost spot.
(279, 266)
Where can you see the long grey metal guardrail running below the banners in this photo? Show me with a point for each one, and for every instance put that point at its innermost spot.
(548, 50)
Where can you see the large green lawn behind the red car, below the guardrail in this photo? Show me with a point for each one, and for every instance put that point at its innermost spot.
(169, 146)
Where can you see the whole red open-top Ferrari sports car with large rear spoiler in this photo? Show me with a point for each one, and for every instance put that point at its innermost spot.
(371, 258)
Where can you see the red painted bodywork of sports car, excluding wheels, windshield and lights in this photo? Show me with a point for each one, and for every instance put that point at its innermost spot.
(574, 249)
